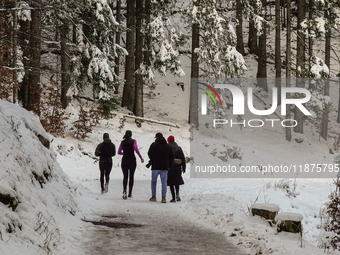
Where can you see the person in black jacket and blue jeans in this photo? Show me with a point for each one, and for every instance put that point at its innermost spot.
(161, 157)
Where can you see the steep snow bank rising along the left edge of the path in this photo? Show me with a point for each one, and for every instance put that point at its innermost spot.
(39, 194)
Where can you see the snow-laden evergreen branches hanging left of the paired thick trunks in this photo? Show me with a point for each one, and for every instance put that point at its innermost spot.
(94, 67)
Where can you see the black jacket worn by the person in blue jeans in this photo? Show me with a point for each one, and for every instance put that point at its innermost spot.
(160, 155)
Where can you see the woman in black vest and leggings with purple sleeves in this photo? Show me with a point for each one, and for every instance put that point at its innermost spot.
(127, 148)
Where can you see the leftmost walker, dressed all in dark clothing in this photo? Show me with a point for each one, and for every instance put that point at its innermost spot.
(105, 151)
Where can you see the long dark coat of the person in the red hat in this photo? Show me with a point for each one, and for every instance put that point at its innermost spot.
(175, 172)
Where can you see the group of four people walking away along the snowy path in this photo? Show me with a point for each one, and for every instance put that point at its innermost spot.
(166, 159)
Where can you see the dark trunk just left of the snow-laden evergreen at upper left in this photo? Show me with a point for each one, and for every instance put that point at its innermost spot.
(65, 63)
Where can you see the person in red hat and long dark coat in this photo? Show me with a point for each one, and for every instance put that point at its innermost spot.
(175, 173)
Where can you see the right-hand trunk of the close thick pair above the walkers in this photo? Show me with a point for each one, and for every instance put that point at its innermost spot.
(138, 107)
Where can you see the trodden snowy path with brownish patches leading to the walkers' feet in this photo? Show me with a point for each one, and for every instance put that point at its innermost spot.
(137, 226)
